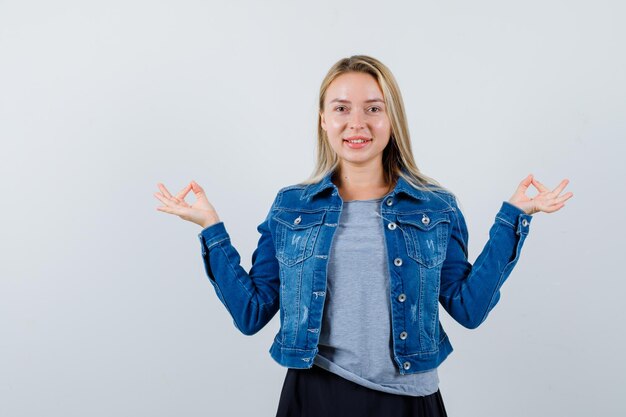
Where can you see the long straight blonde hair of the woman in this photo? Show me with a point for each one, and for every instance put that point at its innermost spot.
(397, 156)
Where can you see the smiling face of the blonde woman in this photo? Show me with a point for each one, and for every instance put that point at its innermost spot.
(354, 111)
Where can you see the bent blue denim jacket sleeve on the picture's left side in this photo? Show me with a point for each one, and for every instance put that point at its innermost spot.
(251, 298)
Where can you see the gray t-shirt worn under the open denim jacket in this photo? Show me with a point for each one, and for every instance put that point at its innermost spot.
(355, 339)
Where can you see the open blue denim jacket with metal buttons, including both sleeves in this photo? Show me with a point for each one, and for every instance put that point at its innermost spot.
(426, 238)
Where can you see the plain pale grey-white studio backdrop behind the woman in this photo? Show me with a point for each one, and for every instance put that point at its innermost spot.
(105, 308)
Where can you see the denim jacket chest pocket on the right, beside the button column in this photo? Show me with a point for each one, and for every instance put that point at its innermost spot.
(426, 236)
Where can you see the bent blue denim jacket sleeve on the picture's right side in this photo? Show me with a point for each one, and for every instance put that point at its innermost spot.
(469, 292)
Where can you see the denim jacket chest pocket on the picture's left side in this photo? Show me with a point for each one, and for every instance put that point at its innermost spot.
(296, 233)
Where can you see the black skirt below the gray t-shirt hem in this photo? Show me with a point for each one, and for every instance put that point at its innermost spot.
(317, 392)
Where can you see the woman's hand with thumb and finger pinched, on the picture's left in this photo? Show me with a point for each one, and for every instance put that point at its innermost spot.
(201, 212)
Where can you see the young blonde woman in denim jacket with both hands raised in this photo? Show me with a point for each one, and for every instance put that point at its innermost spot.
(358, 258)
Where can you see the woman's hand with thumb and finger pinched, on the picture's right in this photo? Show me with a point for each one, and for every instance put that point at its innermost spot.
(546, 201)
